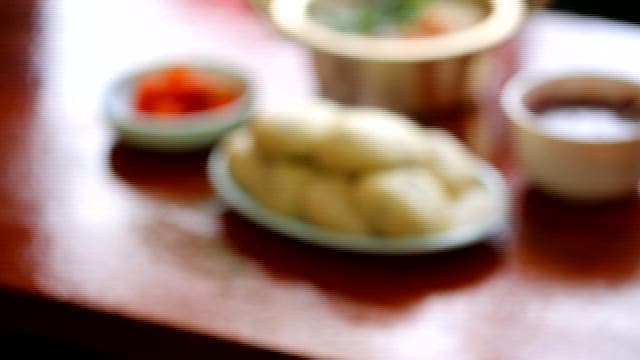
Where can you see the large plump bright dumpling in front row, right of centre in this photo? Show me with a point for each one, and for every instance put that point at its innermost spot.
(403, 202)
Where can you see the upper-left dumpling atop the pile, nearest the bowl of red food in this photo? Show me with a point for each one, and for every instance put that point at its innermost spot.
(295, 130)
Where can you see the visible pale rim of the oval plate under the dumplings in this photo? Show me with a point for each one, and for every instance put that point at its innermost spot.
(238, 199)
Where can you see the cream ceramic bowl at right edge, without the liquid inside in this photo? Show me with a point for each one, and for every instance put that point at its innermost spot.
(564, 165)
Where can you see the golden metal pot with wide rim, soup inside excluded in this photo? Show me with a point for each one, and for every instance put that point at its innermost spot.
(411, 75)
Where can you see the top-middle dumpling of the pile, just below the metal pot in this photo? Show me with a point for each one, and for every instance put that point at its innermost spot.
(369, 139)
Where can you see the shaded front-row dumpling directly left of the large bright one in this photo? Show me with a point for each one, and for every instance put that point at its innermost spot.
(328, 203)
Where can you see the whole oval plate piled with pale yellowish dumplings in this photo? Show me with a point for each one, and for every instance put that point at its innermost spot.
(358, 179)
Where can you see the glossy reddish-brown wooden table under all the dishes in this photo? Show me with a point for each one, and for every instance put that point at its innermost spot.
(86, 223)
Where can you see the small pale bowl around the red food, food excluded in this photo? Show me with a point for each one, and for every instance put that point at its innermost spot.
(192, 131)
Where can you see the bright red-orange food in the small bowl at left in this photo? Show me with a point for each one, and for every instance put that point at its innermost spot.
(182, 89)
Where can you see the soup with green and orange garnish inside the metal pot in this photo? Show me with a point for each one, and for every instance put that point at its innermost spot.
(398, 17)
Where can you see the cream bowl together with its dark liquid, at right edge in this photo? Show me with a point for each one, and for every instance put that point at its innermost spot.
(576, 135)
